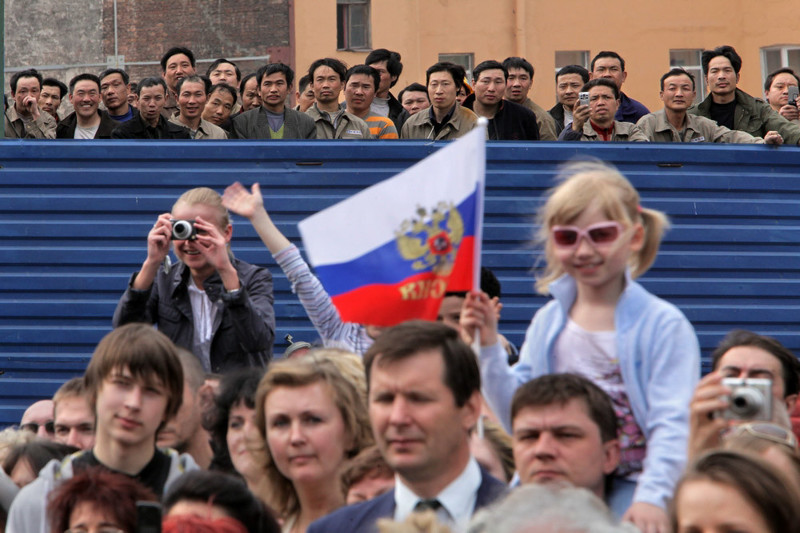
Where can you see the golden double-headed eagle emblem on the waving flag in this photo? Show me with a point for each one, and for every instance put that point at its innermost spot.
(432, 239)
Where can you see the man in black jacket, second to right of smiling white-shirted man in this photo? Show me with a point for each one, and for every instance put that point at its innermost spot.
(150, 123)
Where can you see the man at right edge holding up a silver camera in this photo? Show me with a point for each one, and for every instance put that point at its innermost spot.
(744, 355)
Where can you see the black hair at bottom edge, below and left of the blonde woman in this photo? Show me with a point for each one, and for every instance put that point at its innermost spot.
(226, 492)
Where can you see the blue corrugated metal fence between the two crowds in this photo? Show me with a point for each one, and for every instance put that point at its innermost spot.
(74, 218)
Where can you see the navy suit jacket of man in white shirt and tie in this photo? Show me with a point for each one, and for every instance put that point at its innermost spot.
(362, 517)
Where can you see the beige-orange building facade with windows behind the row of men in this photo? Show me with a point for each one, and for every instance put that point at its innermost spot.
(650, 36)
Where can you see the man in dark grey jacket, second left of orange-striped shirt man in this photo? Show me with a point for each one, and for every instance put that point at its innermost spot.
(272, 119)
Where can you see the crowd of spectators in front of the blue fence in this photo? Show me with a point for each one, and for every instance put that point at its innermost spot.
(600, 422)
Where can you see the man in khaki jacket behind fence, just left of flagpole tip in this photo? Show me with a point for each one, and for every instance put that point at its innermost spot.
(445, 119)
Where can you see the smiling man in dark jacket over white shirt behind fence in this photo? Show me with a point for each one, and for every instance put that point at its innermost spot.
(87, 121)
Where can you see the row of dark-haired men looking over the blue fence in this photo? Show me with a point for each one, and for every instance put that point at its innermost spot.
(337, 102)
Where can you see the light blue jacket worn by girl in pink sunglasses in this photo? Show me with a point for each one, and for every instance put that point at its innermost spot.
(659, 359)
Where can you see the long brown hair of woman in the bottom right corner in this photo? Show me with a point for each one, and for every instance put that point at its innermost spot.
(766, 489)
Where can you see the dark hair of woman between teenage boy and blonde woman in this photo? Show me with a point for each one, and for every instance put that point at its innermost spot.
(238, 387)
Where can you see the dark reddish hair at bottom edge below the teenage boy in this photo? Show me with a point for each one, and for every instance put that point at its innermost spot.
(115, 494)
